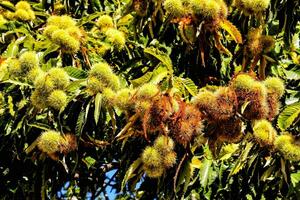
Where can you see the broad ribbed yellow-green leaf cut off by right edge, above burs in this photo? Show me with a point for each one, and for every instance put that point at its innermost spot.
(289, 116)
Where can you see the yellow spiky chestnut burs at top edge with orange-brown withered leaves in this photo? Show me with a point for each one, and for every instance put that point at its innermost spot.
(197, 17)
